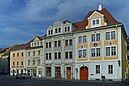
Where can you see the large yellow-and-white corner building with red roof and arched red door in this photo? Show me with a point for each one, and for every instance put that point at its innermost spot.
(101, 47)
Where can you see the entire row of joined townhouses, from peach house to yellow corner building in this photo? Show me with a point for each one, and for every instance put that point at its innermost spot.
(92, 49)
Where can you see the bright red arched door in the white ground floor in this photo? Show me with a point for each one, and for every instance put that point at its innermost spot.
(84, 73)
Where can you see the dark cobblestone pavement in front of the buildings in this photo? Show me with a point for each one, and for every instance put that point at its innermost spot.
(11, 81)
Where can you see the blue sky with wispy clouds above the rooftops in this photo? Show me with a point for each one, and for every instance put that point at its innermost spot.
(22, 20)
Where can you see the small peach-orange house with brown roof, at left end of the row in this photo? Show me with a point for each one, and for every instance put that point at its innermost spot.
(17, 59)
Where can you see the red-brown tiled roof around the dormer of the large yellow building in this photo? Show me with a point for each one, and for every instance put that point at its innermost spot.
(110, 20)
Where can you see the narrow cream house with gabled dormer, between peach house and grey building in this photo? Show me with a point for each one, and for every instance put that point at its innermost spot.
(34, 59)
